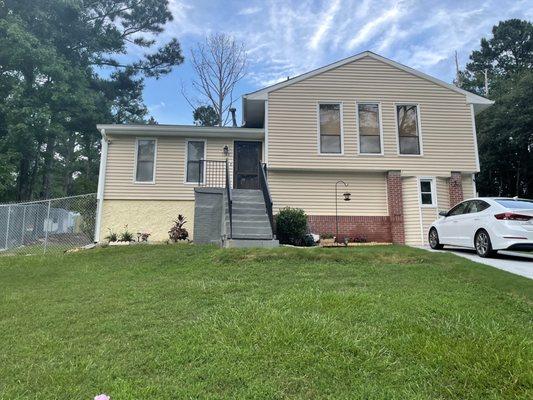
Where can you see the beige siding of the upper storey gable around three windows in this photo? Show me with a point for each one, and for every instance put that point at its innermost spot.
(446, 124)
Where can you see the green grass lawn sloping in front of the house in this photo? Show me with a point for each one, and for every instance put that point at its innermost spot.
(175, 322)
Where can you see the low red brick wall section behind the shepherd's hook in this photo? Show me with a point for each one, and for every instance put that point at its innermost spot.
(373, 228)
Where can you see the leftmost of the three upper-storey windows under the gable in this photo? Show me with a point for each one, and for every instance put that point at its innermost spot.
(330, 128)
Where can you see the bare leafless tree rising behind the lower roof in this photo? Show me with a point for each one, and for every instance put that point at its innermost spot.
(219, 63)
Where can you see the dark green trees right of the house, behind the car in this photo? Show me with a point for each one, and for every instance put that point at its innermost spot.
(505, 130)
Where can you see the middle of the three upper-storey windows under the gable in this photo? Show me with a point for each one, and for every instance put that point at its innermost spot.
(369, 128)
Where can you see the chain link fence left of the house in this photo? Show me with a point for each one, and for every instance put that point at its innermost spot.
(47, 226)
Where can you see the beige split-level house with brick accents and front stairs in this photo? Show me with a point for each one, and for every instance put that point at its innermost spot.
(403, 141)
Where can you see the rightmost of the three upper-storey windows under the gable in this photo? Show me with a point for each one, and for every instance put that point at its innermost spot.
(408, 129)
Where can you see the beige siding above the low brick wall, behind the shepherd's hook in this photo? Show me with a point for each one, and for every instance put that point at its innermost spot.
(315, 192)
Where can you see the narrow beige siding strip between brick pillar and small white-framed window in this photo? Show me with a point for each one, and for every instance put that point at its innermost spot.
(411, 211)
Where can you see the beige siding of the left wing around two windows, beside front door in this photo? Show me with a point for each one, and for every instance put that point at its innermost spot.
(170, 168)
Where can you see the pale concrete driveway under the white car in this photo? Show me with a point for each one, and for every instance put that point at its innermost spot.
(516, 264)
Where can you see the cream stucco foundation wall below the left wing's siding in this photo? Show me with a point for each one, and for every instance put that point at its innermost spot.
(153, 216)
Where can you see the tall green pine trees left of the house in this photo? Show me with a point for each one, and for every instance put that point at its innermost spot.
(60, 76)
